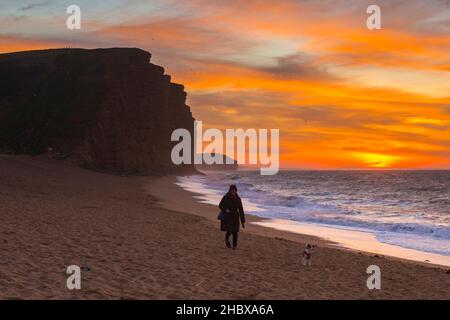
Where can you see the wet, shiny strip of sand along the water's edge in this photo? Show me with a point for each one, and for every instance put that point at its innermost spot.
(330, 236)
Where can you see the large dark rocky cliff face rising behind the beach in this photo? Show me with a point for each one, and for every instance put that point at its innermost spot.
(108, 109)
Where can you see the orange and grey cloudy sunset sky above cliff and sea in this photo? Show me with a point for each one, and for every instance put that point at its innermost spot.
(342, 96)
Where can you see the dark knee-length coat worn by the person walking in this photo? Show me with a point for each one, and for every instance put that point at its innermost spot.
(233, 211)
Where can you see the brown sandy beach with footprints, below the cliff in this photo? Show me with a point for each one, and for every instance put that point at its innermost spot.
(141, 237)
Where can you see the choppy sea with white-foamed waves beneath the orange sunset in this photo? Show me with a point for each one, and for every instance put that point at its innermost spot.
(410, 209)
